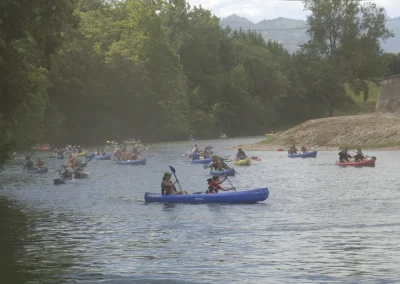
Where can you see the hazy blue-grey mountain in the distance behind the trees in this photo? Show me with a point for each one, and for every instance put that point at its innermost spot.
(292, 33)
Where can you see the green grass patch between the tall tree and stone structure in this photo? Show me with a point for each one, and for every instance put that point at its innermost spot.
(359, 106)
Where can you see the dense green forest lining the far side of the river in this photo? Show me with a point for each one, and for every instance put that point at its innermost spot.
(87, 71)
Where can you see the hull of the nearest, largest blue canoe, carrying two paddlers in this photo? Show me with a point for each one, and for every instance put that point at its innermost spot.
(249, 196)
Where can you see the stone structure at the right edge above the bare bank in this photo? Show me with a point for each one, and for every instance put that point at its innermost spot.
(389, 95)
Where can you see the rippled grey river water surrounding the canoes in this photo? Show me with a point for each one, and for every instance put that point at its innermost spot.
(321, 223)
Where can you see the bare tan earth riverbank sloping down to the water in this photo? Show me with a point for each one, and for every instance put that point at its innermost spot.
(370, 131)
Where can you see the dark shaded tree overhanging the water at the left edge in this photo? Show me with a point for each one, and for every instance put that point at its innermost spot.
(30, 33)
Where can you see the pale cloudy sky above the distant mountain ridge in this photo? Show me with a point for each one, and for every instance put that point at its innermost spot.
(258, 10)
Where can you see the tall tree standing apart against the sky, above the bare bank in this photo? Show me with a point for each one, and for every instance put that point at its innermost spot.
(345, 35)
